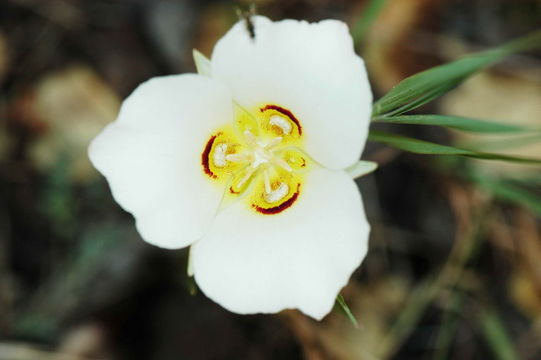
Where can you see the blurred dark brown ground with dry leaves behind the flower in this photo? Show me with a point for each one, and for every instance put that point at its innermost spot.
(454, 267)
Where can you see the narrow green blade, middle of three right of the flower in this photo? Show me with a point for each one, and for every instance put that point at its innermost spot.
(454, 122)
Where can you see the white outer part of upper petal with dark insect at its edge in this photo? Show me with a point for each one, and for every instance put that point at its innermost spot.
(310, 69)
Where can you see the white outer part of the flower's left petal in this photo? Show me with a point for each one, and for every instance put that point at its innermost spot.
(151, 156)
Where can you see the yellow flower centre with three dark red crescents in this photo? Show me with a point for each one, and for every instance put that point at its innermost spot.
(257, 155)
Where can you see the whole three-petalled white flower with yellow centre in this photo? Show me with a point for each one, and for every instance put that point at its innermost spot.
(245, 164)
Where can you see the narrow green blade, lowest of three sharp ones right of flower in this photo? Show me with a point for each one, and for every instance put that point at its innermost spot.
(428, 148)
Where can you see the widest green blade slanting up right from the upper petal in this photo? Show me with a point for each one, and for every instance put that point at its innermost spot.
(450, 74)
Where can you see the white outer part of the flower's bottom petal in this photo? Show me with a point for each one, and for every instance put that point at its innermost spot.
(300, 258)
